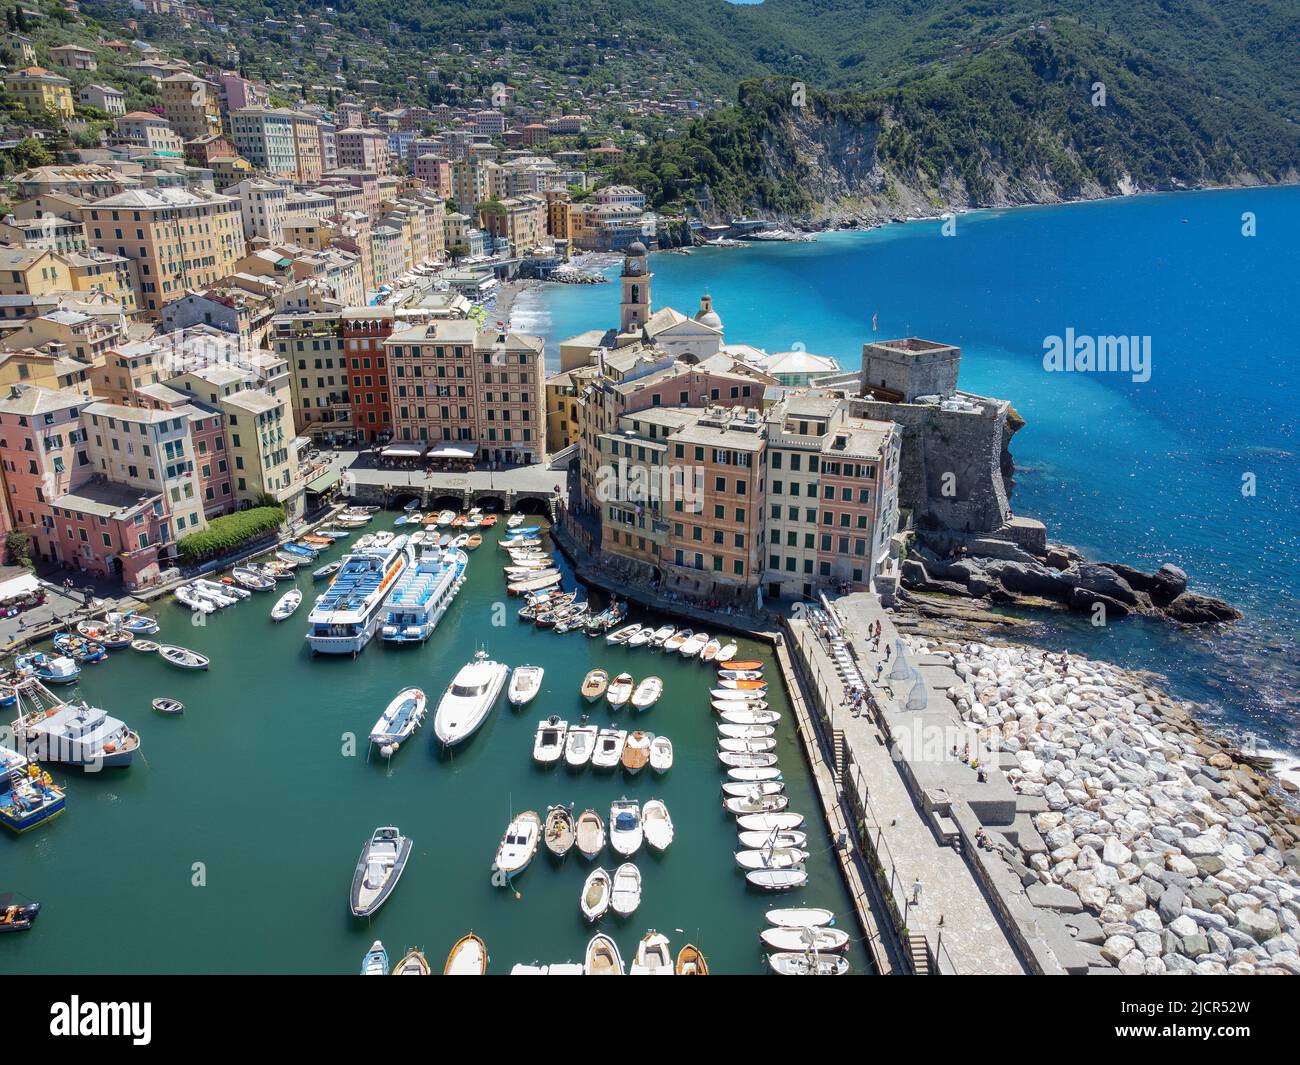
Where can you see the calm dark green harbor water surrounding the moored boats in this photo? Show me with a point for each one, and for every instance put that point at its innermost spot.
(229, 846)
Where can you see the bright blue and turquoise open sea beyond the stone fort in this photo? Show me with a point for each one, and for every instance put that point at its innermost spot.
(1137, 473)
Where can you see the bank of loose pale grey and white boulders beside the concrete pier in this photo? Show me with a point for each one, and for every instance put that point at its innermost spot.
(1162, 847)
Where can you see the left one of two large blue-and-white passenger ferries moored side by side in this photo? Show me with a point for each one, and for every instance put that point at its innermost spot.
(348, 614)
